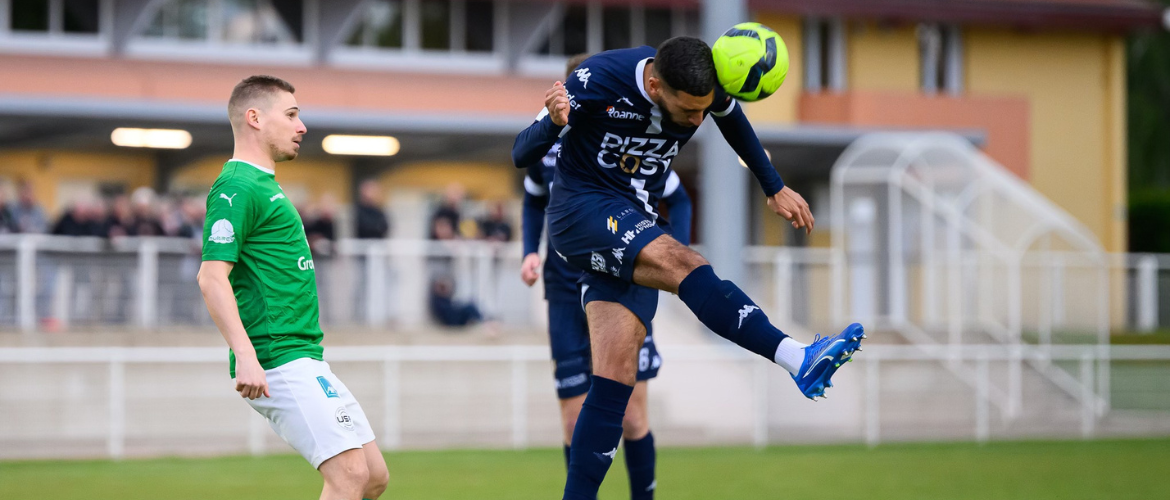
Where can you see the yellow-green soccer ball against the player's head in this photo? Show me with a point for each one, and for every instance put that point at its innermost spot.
(752, 61)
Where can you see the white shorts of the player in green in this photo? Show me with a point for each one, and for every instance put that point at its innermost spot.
(313, 410)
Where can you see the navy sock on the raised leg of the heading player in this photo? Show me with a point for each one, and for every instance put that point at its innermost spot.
(729, 313)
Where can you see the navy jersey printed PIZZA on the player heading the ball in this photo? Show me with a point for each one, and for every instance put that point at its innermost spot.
(618, 141)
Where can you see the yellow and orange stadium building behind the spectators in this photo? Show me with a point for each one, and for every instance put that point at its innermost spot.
(455, 80)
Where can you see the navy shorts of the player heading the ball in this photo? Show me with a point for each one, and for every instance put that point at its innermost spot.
(603, 236)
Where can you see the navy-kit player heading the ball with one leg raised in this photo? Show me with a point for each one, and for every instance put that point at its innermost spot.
(622, 119)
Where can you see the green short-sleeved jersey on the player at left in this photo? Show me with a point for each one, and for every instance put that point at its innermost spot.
(252, 224)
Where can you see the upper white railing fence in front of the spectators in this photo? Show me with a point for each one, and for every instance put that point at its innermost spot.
(61, 283)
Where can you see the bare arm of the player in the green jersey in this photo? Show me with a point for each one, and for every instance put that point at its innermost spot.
(217, 290)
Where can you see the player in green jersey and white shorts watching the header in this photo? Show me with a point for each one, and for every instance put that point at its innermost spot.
(259, 284)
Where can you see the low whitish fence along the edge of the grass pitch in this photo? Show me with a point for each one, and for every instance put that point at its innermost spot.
(119, 402)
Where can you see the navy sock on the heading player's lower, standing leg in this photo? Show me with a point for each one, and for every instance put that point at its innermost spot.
(596, 437)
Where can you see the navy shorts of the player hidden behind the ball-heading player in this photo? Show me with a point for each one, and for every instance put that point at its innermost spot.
(569, 339)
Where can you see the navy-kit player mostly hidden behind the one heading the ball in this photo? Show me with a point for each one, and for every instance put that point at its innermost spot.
(568, 328)
